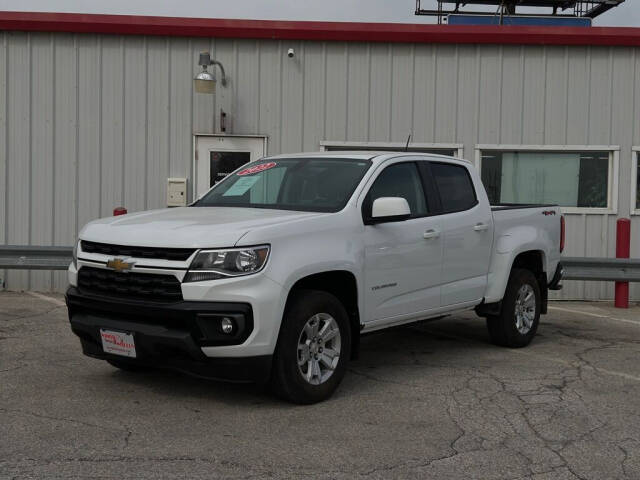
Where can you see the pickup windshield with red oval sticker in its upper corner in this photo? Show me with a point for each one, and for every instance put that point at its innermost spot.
(308, 184)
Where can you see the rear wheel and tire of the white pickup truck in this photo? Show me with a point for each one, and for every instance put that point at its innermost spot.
(517, 323)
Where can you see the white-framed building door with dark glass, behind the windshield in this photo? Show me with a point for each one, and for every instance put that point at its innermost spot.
(218, 155)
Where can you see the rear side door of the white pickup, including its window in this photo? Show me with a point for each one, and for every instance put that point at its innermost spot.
(467, 233)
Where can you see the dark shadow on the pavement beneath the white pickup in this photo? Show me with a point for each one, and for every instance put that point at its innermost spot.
(392, 350)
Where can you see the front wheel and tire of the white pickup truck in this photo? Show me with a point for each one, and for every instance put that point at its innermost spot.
(313, 348)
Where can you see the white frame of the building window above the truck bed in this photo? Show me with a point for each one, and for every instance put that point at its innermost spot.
(612, 184)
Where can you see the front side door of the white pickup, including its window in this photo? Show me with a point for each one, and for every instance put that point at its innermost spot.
(402, 259)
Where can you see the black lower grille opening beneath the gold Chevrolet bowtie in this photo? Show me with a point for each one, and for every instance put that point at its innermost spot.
(135, 286)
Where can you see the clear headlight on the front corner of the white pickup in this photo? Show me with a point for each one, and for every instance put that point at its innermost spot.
(224, 263)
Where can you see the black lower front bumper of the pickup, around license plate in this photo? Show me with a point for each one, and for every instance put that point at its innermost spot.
(169, 335)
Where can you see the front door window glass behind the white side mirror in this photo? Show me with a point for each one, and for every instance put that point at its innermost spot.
(399, 180)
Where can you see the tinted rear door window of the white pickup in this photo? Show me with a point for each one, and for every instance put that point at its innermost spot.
(454, 187)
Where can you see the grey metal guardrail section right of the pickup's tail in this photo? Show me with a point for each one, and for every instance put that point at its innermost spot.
(601, 269)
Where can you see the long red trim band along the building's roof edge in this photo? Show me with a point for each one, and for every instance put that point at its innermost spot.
(337, 31)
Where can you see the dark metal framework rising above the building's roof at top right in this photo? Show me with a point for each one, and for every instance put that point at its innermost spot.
(570, 8)
